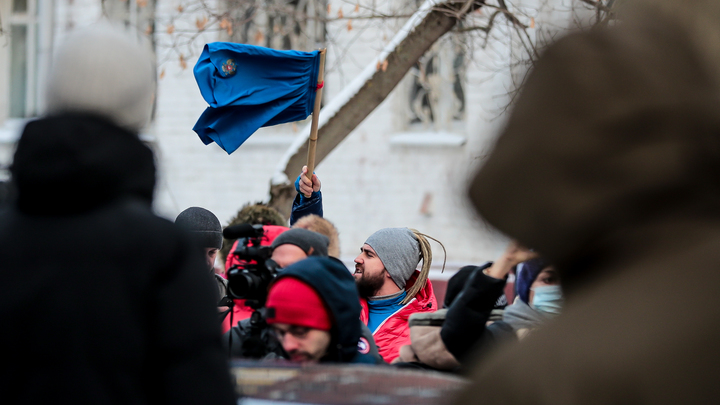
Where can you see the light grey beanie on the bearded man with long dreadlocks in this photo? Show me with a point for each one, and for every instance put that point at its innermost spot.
(399, 251)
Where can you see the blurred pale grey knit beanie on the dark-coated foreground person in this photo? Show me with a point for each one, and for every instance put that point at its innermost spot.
(103, 70)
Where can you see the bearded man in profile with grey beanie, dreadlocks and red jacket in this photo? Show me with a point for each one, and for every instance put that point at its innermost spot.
(390, 286)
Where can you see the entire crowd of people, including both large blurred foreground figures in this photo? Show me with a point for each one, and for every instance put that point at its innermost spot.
(615, 302)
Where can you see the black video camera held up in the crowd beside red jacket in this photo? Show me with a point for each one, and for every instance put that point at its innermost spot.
(250, 278)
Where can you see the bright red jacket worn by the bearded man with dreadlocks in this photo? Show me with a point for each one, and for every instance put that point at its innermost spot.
(394, 331)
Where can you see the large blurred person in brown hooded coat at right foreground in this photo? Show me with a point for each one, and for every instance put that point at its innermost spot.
(616, 135)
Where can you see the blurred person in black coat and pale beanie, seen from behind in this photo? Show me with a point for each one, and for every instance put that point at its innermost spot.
(115, 309)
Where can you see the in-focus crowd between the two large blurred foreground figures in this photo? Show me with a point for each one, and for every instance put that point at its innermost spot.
(303, 318)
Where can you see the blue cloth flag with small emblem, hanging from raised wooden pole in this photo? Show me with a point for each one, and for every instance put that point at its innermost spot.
(248, 87)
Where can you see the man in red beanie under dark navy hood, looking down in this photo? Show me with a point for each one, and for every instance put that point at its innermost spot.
(313, 311)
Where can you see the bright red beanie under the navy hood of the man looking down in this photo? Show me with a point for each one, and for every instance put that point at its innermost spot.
(293, 302)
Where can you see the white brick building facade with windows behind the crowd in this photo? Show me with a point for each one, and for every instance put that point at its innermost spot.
(407, 164)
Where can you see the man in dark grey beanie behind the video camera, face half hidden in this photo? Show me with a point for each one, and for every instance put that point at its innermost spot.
(288, 248)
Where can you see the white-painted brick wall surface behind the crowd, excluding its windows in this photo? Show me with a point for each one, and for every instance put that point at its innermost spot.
(368, 183)
